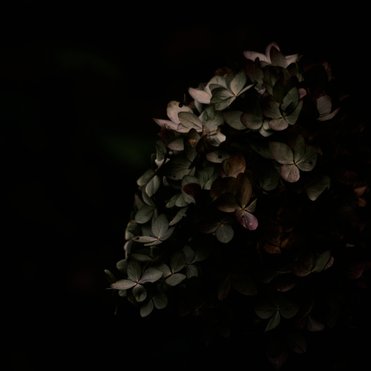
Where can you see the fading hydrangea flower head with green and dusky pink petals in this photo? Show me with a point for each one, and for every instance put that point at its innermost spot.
(250, 202)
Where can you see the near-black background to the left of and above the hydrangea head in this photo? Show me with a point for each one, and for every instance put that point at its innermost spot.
(80, 84)
